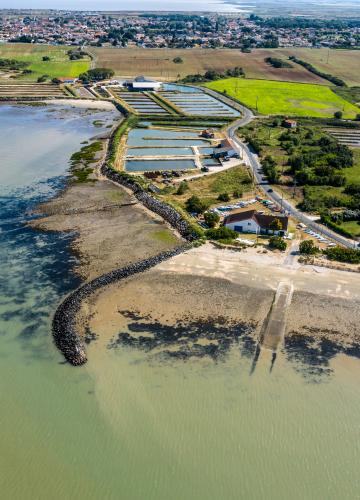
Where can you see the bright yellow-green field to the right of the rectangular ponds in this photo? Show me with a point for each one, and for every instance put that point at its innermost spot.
(283, 98)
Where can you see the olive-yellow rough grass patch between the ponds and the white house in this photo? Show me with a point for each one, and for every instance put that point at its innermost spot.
(210, 186)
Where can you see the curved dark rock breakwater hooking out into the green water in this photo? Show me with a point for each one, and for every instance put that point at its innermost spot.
(64, 324)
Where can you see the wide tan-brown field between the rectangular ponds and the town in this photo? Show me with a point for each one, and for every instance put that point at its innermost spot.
(159, 63)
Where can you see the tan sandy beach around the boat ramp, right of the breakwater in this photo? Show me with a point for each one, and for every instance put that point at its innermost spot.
(222, 289)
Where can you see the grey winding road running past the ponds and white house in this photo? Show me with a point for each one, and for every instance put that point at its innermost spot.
(255, 165)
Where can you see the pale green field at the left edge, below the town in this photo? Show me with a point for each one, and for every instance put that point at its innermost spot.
(58, 66)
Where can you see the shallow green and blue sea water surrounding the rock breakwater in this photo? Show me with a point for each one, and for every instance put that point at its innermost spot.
(127, 426)
